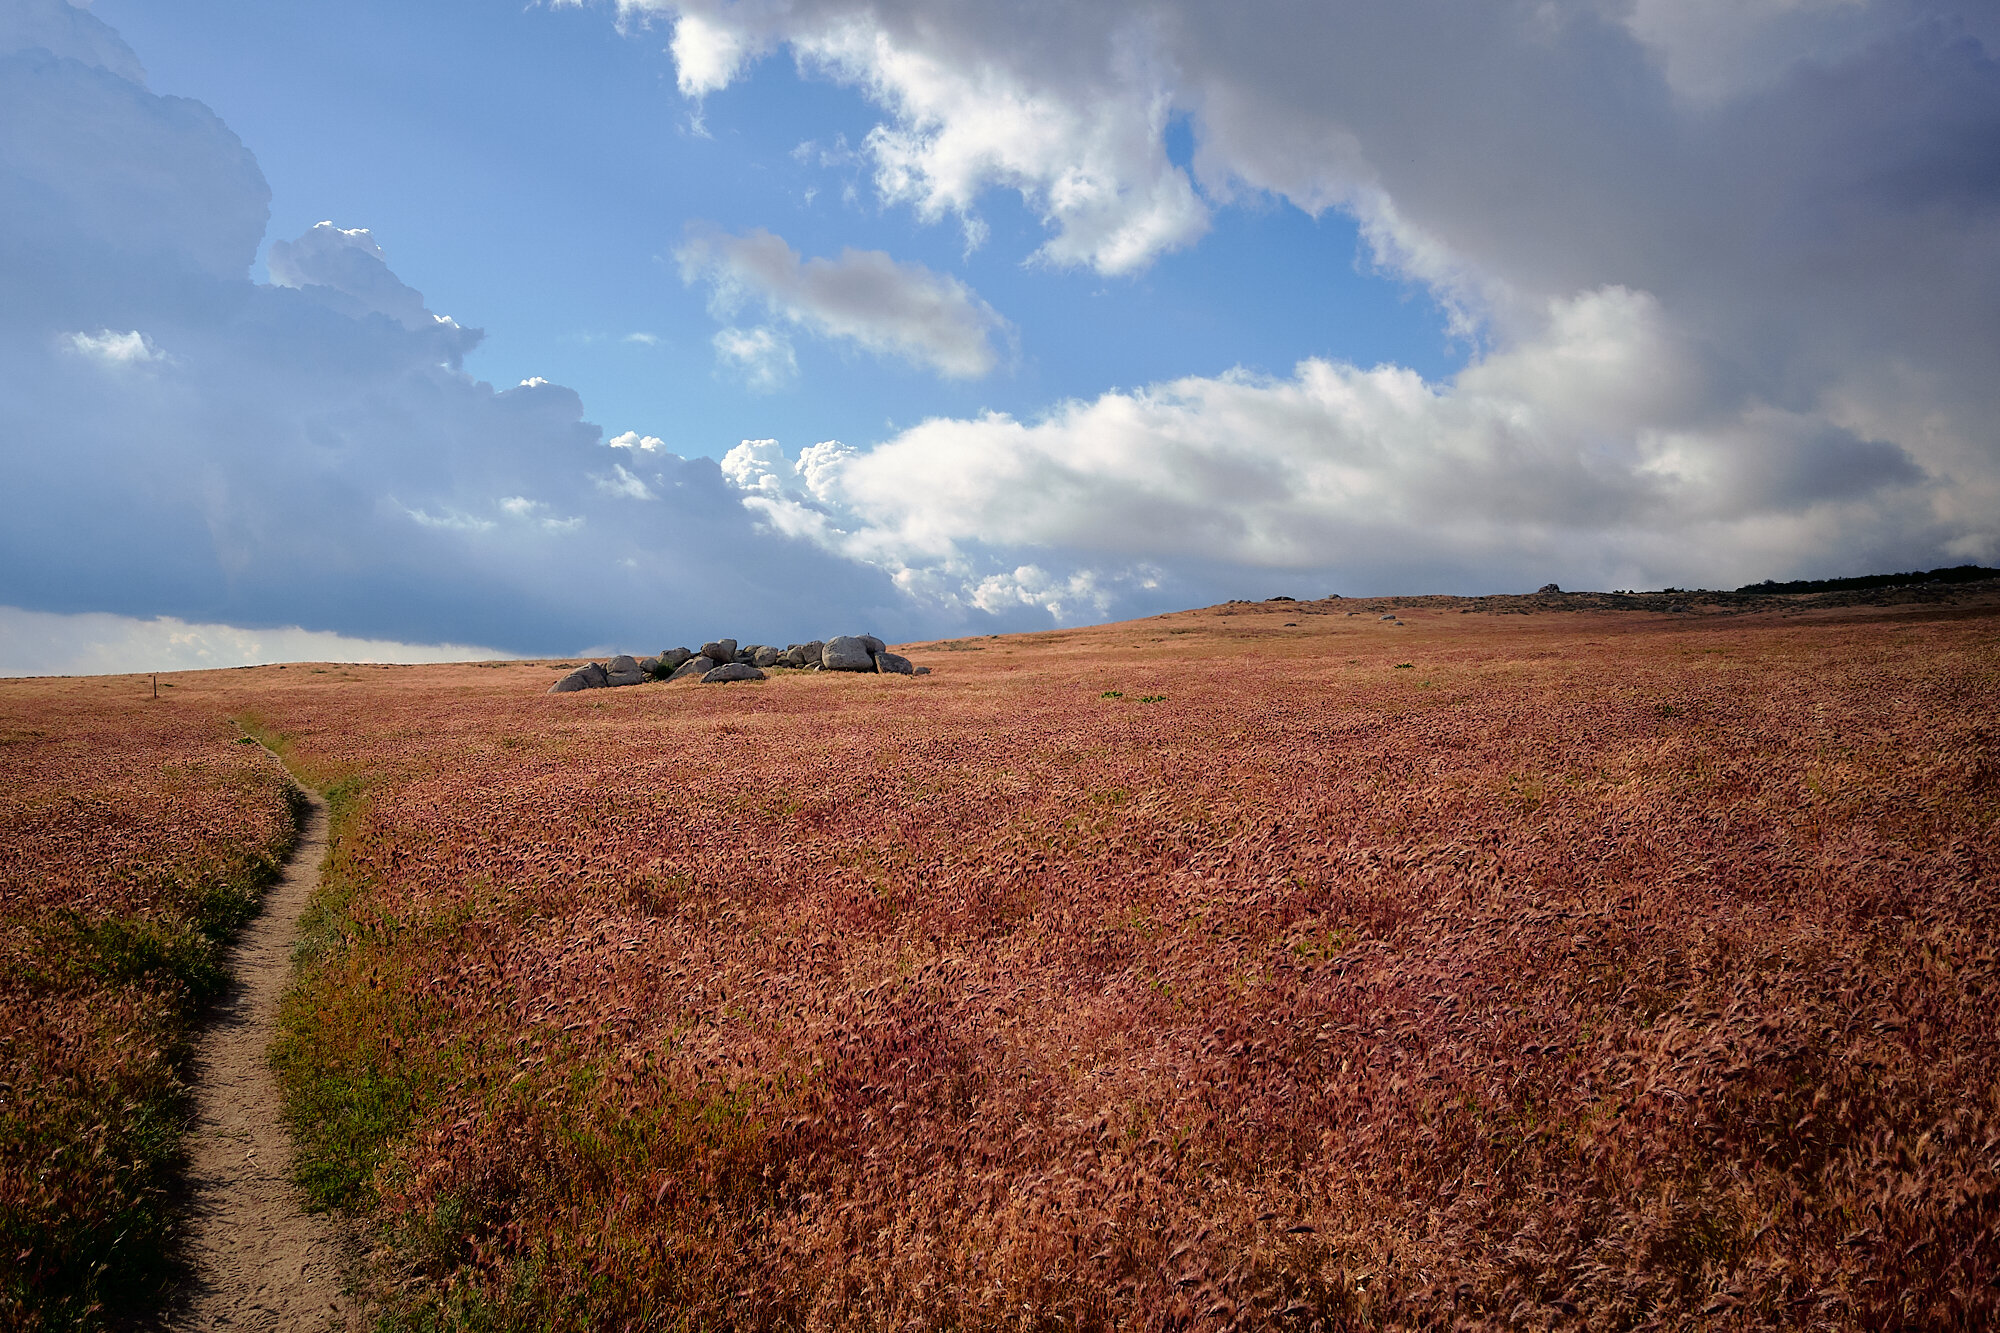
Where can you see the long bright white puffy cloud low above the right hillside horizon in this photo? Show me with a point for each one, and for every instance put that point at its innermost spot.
(1339, 473)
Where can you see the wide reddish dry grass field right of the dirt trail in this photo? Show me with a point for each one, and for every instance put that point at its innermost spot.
(1249, 968)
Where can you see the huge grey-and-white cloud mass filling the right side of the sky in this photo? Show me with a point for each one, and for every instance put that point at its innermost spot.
(1729, 273)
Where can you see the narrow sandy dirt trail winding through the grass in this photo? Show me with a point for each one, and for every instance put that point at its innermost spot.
(261, 1262)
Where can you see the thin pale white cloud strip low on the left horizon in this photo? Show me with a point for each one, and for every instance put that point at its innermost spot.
(37, 643)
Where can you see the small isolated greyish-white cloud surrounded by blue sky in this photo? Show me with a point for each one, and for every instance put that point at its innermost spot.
(867, 297)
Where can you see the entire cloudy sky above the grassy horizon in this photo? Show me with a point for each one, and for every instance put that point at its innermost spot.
(545, 329)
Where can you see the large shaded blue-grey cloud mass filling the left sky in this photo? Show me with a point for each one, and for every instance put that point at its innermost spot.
(313, 453)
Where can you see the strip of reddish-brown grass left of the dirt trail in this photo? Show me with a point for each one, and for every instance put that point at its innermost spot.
(133, 840)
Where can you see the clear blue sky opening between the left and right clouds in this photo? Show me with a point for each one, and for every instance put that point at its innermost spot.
(539, 181)
